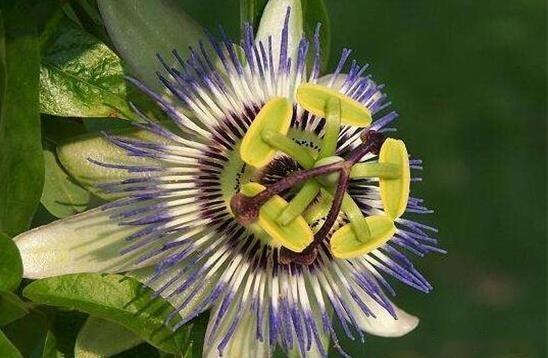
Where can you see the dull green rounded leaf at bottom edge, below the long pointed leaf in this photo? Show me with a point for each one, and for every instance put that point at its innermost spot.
(101, 338)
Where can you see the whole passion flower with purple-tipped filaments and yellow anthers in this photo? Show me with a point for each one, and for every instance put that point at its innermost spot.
(275, 200)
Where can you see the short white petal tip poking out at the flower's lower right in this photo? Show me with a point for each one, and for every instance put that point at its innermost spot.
(384, 325)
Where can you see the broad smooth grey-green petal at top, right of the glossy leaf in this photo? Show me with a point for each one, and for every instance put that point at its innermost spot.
(142, 29)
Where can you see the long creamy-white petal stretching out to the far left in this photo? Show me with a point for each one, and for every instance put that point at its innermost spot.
(87, 242)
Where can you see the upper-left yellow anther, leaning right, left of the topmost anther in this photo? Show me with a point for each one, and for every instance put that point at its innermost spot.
(276, 116)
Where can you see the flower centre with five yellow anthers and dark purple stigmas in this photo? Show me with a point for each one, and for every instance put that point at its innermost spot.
(275, 177)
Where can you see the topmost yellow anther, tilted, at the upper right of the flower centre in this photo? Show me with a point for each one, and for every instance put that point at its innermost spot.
(314, 98)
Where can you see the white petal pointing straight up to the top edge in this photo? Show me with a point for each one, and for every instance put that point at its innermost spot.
(272, 24)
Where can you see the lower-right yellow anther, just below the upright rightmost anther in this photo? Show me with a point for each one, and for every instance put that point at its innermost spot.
(345, 244)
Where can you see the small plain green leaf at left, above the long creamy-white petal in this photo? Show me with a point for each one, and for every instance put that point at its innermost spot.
(61, 195)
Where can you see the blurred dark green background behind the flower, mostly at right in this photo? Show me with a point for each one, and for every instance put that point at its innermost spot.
(469, 81)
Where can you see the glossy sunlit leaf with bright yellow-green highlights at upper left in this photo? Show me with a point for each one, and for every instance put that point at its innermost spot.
(81, 77)
